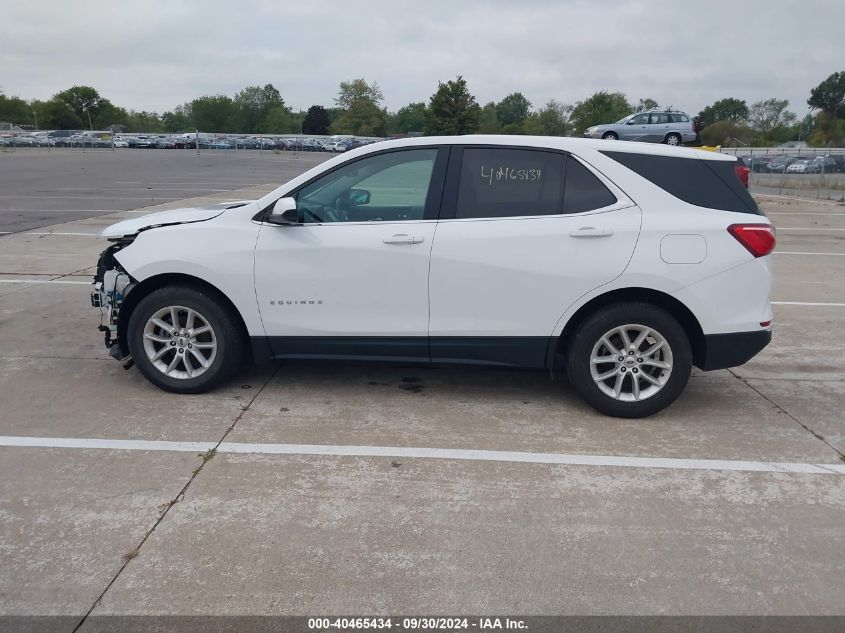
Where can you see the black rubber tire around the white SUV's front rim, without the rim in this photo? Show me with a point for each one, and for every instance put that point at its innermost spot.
(226, 329)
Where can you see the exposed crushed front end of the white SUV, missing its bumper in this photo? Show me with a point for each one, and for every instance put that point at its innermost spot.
(111, 285)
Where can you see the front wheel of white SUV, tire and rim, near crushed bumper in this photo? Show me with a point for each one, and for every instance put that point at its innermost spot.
(183, 340)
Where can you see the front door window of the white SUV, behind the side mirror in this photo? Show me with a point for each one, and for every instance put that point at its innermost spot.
(386, 187)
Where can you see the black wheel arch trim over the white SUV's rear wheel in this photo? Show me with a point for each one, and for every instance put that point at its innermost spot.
(643, 295)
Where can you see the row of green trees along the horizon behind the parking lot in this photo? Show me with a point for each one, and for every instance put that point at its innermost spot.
(452, 109)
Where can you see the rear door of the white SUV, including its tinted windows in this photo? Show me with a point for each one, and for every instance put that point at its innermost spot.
(523, 233)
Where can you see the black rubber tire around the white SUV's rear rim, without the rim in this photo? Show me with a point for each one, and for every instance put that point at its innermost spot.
(588, 335)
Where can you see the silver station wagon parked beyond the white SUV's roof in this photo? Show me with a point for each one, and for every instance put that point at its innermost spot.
(653, 126)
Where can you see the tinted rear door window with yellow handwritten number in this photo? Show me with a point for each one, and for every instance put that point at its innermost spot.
(498, 183)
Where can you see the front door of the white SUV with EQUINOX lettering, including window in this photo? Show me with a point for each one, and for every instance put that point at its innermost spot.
(352, 278)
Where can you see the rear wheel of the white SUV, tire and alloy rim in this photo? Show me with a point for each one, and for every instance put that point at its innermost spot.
(630, 360)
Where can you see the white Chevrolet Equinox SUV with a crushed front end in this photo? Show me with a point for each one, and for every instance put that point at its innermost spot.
(623, 263)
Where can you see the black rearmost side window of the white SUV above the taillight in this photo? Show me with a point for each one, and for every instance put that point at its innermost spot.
(704, 183)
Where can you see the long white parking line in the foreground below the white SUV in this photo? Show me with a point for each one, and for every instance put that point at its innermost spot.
(567, 459)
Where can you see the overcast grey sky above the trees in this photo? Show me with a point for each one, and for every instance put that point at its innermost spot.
(156, 54)
